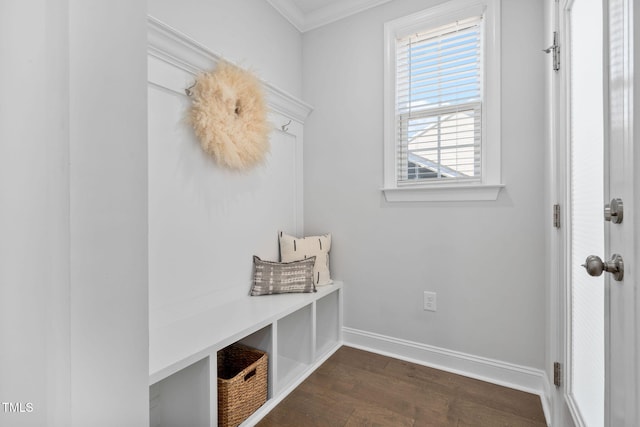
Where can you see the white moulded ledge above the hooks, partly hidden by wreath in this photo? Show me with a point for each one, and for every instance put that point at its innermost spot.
(169, 45)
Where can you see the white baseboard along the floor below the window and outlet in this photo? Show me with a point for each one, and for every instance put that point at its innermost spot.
(517, 377)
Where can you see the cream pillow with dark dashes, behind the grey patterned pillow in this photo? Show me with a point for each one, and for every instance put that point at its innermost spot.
(293, 249)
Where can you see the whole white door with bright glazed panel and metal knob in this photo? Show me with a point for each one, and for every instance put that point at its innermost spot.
(598, 313)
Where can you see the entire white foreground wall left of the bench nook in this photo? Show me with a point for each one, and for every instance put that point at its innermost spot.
(73, 266)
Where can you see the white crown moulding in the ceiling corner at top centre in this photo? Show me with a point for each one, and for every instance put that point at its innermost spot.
(306, 15)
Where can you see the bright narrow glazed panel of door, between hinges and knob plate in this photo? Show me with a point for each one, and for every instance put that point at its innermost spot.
(585, 350)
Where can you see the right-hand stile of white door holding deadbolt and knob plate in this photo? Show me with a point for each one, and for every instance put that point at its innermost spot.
(623, 356)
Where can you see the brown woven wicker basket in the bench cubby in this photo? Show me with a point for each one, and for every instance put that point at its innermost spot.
(242, 383)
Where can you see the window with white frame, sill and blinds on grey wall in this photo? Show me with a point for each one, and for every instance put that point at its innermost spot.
(442, 103)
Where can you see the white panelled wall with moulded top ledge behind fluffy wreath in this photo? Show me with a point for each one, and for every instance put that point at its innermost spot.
(206, 222)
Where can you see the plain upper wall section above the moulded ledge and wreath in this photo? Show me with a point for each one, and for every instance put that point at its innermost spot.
(250, 33)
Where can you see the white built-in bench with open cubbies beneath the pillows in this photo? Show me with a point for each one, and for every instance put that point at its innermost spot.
(297, 331)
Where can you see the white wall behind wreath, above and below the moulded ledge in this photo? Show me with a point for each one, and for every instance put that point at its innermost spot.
(206, 222)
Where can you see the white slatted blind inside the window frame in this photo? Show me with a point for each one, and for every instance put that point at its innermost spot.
(439, 103)
